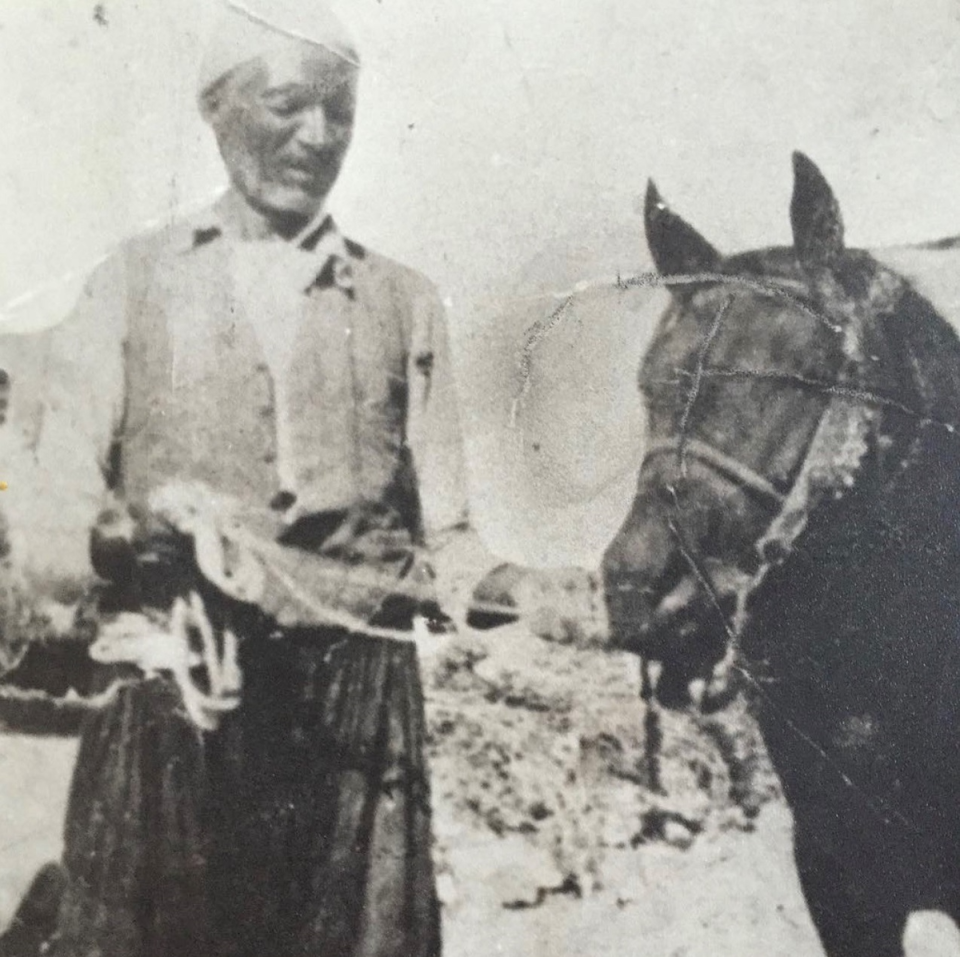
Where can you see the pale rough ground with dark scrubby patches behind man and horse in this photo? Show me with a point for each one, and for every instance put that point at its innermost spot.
(558, 831)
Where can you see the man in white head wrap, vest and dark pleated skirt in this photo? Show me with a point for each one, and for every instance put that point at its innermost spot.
(255, 352)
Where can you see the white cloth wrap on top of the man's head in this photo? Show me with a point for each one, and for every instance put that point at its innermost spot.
(251, 28)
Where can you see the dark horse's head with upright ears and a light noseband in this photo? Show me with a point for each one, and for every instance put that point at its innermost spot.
(751, 385)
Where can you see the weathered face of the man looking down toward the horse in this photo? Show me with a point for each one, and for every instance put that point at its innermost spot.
(283, 123)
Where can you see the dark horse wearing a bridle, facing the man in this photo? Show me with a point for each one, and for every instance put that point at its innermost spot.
(795, 534)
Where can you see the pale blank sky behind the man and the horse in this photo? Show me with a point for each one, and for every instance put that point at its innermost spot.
(503, 148)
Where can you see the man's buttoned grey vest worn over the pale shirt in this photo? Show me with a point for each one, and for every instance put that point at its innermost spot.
(201, 403)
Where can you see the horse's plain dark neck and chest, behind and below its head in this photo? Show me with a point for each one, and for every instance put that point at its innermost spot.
(856, 636)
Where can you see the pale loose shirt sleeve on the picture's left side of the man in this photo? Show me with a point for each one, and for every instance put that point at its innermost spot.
(66, 388)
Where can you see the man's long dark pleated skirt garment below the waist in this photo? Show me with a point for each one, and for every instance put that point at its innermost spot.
(300, 827)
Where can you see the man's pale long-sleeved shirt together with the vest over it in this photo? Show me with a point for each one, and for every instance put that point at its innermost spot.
(172, 366)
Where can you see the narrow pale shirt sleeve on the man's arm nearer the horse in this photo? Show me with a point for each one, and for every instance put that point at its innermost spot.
(458, 554)
